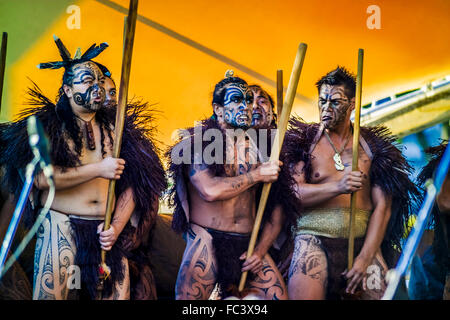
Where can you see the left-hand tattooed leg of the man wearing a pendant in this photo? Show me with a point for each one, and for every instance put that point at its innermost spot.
(308, 270)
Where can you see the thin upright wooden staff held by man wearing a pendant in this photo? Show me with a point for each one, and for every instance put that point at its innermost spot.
(351, 237)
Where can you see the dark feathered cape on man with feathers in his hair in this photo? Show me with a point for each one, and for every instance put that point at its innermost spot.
(143, 172)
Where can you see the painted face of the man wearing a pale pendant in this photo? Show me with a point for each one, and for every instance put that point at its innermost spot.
(333, 105)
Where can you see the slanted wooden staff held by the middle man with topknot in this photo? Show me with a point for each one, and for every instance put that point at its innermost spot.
(279, 137)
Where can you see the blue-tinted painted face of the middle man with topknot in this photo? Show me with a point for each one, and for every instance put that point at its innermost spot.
(237, 106)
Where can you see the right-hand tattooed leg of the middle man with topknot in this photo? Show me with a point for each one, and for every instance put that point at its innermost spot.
(268, 283)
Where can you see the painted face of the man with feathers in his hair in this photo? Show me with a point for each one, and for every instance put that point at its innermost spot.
(87, 88)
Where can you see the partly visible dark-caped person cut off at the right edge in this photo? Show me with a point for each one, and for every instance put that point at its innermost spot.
(430, 275)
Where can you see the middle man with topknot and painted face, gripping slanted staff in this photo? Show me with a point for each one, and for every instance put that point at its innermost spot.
(215, 204)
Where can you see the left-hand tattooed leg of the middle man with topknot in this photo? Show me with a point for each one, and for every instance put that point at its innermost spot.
(198, 271)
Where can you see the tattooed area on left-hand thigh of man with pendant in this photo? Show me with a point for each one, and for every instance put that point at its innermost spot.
(309, 259)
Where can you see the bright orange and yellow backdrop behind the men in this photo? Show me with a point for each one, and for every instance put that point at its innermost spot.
(410, 49)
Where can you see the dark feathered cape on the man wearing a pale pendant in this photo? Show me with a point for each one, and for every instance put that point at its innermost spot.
(389, 170)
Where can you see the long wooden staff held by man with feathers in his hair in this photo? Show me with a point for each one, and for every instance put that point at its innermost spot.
(120, 114)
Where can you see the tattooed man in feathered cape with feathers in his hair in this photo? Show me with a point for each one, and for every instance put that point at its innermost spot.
(80, 131)
